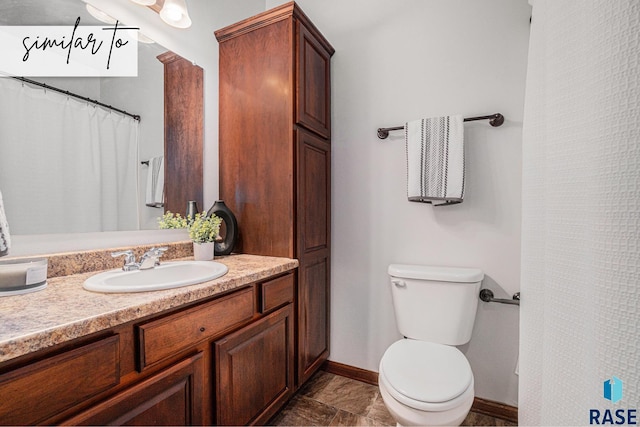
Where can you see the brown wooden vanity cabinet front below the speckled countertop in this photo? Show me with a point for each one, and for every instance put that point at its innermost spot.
(227, 360)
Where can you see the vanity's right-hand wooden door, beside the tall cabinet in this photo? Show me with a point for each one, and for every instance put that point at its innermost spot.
(254, 370)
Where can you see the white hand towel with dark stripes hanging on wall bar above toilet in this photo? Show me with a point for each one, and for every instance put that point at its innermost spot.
(435, 160)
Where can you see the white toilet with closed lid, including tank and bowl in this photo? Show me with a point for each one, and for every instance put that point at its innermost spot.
(424, 379)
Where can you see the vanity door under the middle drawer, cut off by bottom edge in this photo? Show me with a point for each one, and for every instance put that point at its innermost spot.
(172, 397)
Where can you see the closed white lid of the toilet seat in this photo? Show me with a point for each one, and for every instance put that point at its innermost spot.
(426, 372)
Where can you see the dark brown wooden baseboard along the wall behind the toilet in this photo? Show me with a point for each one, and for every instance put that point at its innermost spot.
(480, 405)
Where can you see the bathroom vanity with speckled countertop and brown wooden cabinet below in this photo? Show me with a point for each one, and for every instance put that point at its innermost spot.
(220, 352)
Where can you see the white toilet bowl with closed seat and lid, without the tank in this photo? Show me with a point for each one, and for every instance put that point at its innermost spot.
(424, 383)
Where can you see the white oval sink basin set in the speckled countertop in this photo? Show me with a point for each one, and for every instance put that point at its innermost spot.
(165, 276)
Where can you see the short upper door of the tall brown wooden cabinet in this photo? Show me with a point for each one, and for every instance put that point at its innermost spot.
(313, 95)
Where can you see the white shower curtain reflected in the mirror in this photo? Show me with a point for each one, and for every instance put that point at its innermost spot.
(65, 165)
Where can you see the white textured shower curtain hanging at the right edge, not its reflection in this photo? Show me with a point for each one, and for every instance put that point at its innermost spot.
(581, 211)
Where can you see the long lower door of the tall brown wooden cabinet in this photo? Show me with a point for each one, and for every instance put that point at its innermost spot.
(314, 218)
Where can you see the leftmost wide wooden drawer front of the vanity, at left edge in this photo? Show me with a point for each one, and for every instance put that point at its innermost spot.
(36, 392)
